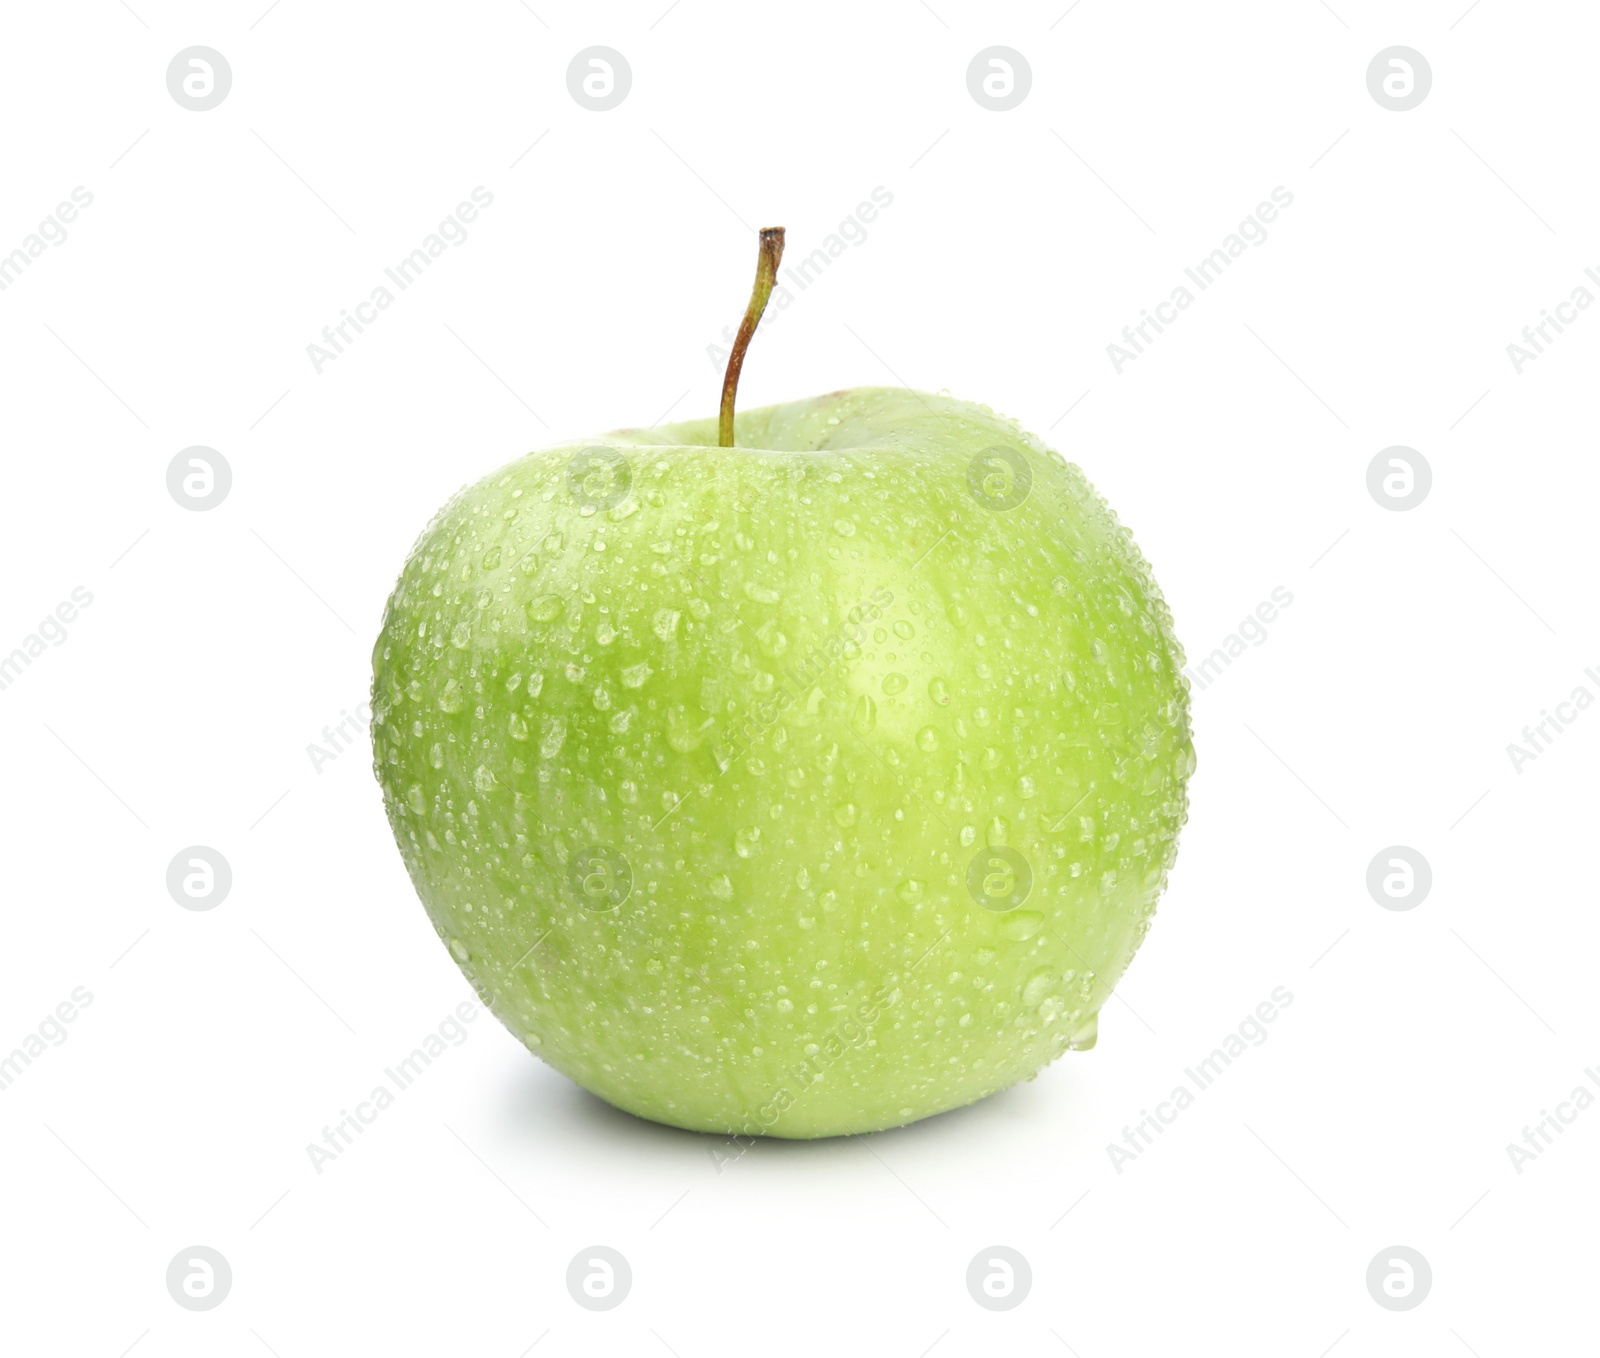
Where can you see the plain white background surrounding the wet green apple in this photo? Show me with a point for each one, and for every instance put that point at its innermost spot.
(1018, 246)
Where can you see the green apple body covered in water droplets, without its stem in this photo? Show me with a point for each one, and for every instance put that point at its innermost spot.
(694, 756)
